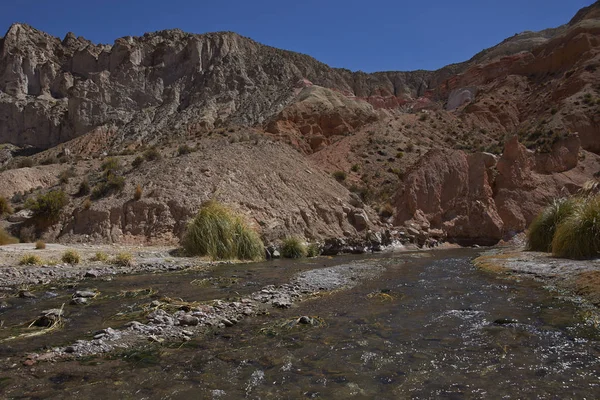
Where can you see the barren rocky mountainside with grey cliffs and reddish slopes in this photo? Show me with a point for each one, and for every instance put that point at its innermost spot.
(427, 149)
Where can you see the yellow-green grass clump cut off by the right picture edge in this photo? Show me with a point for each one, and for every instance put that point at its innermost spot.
(578, 236)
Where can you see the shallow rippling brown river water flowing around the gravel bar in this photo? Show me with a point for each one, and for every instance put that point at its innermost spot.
(432, 326)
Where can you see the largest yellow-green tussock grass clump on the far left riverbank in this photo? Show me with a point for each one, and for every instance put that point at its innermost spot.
(218, 233)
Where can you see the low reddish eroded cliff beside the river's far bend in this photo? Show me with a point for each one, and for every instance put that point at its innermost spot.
(486, 198)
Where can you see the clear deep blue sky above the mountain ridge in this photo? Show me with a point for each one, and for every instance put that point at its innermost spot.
(376, 35)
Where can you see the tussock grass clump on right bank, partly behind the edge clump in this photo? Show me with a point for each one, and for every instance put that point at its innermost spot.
(542, 229)
